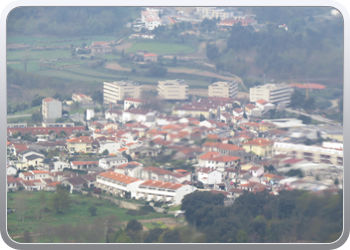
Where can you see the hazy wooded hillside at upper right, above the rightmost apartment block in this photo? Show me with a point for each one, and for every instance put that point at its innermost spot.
(303, 51)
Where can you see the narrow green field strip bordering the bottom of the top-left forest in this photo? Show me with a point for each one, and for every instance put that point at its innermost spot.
(76, 41)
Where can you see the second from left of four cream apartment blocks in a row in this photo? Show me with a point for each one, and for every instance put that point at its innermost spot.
(173, 90)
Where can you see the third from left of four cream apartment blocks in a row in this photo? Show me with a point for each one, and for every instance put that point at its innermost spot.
(223, 89)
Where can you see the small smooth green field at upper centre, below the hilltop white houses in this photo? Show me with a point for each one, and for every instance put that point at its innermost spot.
(162, 48)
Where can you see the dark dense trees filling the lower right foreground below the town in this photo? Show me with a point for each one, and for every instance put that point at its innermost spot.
(291, 216)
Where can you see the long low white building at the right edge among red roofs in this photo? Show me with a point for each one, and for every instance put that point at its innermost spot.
(310, 153)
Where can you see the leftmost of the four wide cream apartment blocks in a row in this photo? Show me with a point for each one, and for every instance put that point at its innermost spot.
(118, 91)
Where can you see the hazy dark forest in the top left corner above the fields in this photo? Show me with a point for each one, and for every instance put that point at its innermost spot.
(69, 21)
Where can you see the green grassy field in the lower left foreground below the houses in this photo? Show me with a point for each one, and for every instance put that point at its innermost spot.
(77, 214)
